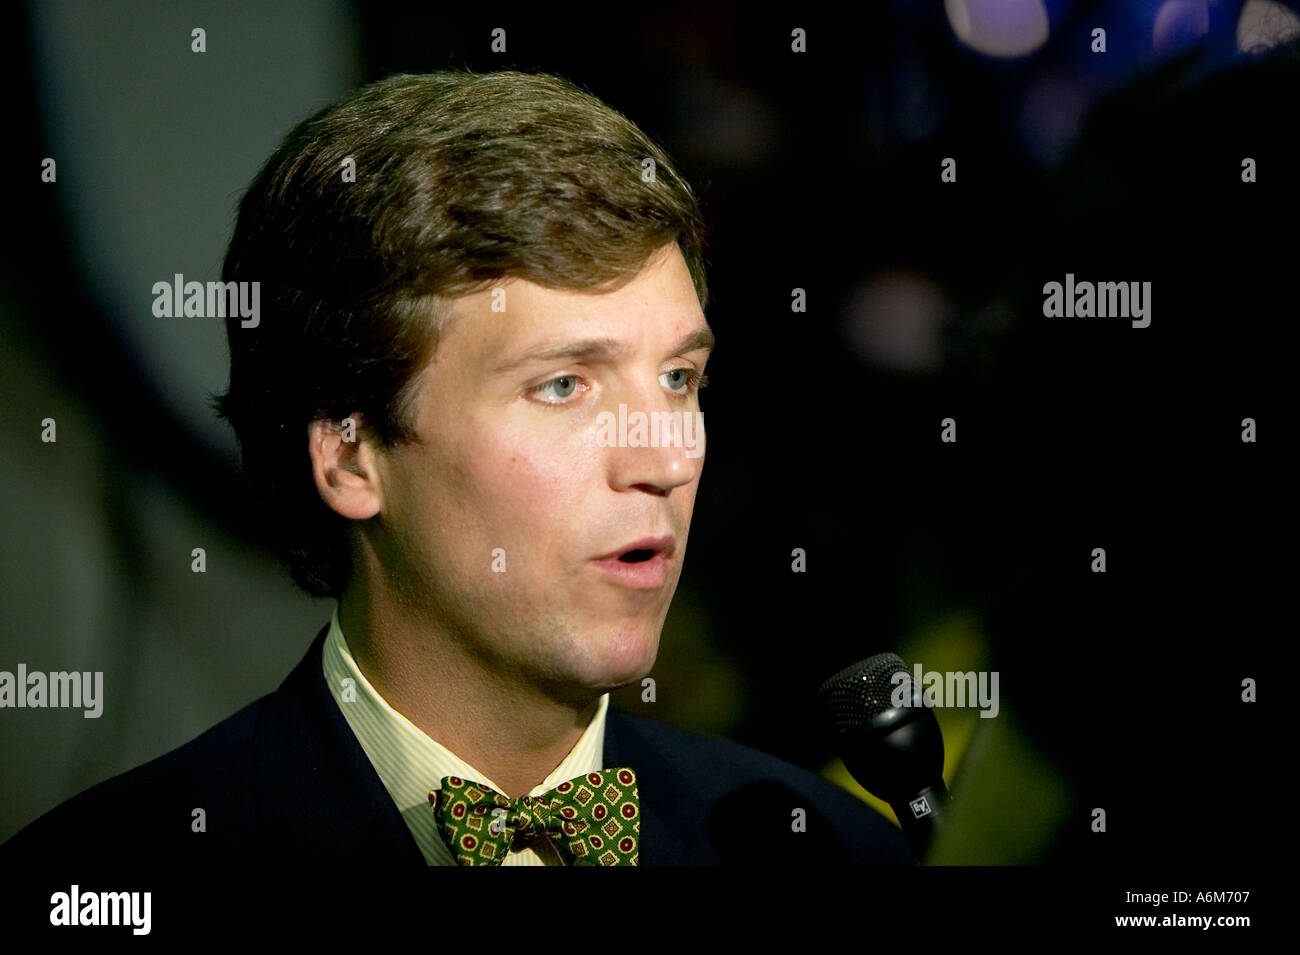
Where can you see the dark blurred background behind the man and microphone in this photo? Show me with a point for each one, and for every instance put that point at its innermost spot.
(818, 171)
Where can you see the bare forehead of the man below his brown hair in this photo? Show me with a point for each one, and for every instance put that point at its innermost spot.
(501, 327)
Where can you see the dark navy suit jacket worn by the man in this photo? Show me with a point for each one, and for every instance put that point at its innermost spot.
(287, 780)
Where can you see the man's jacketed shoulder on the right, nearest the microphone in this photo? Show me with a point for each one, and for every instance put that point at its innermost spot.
(736, 789)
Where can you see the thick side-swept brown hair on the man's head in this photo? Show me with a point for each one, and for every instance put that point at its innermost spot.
(461, 180)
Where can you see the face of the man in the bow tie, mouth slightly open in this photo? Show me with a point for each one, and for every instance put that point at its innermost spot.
(496, 522)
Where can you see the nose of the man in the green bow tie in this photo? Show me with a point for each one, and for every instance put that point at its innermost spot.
(653, 442)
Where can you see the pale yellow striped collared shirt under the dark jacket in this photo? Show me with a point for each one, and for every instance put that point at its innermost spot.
(410, 763)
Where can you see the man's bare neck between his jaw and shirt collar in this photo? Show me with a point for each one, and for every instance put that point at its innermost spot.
(508, 730)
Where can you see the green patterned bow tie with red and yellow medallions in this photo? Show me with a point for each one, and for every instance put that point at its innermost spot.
(592, 821)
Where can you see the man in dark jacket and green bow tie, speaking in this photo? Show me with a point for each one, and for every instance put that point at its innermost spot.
(465, 280)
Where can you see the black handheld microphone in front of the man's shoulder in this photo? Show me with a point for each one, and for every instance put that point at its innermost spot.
(894, 752)
